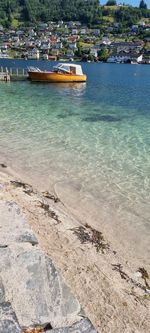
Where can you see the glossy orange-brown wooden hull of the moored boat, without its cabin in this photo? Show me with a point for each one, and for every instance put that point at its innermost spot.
(55, 77)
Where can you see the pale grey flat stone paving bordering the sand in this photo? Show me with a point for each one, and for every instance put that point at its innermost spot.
(31, 283)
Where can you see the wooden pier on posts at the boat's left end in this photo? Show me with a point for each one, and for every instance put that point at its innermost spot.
(13, 74)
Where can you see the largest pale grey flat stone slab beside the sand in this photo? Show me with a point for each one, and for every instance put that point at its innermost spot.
(39, 293)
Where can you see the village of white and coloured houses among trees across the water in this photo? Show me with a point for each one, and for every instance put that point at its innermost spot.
(76, 41)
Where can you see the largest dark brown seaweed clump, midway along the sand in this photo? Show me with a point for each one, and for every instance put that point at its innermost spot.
(86, 234)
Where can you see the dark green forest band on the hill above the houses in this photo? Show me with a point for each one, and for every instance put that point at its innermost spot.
(89, 12)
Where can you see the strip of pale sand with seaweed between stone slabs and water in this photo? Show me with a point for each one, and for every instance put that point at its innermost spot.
(111, 284)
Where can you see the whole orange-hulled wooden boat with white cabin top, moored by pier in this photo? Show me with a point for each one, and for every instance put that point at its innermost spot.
(60, 73)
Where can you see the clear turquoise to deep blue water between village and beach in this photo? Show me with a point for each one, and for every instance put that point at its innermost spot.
(95, 135)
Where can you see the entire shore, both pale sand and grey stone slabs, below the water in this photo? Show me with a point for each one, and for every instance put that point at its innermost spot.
(39, 243)
